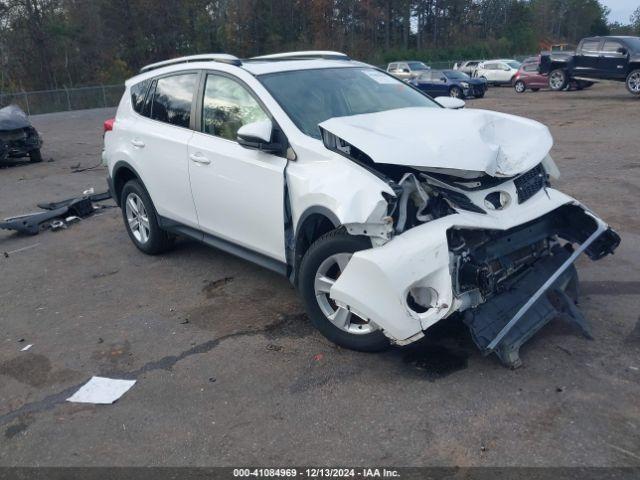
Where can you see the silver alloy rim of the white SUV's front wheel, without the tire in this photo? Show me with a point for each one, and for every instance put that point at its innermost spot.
(327, 274)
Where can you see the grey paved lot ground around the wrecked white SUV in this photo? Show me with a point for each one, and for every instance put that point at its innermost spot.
(247, 381)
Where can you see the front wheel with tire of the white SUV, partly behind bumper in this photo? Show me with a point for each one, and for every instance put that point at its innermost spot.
(321, 266)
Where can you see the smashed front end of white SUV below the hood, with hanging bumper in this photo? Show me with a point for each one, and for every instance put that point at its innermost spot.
(499, 250)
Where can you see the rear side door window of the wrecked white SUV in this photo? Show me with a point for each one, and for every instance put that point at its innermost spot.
(172, 99)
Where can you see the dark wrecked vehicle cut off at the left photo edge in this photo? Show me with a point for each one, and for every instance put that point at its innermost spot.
(18, 138)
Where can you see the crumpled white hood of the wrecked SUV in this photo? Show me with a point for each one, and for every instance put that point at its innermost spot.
(498, 144)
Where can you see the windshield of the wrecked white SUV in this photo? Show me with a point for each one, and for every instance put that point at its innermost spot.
(312, 96)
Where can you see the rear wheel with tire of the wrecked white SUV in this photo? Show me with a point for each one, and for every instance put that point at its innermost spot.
(141, 220)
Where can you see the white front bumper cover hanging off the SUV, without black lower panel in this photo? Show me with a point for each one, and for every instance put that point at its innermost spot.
(376, 282)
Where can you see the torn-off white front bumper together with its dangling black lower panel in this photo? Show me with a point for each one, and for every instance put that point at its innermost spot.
(376, 283)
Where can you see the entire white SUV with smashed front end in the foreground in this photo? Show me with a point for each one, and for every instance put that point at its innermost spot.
(386, 211)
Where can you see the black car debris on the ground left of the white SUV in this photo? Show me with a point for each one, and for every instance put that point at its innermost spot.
(57, 215)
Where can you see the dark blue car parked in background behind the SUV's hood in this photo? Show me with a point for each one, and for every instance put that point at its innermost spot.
(453, 83)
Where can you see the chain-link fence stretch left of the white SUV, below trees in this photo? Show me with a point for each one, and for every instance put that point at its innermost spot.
(48, 101)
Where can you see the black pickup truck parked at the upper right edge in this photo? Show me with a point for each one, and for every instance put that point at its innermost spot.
(596, 58)
